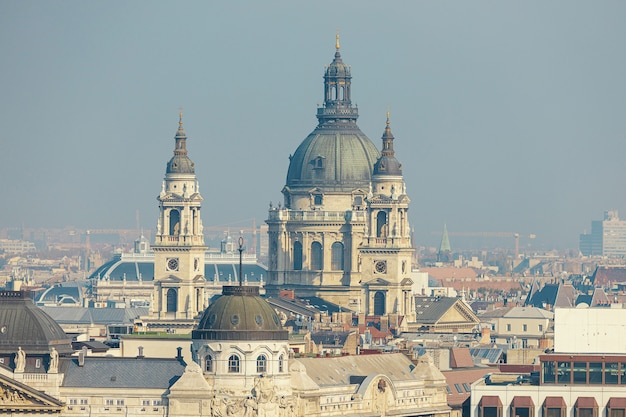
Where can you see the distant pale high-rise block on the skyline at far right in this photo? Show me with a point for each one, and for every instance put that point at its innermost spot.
(607, 237)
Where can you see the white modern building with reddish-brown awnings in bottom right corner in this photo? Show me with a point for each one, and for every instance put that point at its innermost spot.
(584, 377)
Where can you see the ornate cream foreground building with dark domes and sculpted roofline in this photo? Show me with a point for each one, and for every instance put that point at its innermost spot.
(242, 367)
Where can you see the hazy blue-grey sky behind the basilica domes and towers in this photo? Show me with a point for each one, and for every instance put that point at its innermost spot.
(509, 116)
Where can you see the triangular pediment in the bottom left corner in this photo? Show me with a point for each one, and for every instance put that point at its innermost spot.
(21, 397)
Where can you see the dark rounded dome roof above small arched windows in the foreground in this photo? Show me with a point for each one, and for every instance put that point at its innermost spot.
(240, 314)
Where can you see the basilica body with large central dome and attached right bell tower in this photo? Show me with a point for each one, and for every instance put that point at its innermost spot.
(343, 231)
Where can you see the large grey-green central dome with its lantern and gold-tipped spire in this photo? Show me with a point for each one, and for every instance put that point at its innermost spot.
(336, 157)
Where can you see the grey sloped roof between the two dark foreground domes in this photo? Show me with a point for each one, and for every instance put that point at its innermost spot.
(107, 372)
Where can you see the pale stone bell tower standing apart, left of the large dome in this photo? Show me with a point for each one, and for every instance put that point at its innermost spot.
(179, 248)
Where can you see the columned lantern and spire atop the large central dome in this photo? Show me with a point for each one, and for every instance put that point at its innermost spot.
(337, 91)
